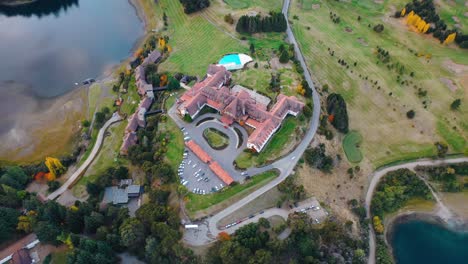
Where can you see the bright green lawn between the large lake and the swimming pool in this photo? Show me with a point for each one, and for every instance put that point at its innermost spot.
(195, 41)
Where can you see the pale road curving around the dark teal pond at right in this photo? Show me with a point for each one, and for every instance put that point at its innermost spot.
(377, 175)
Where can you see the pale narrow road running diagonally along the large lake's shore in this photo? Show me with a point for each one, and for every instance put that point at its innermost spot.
(82, 169)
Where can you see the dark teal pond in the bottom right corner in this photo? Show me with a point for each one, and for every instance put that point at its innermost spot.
(422, 242)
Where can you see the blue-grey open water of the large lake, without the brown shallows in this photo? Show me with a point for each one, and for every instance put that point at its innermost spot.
(48, 46)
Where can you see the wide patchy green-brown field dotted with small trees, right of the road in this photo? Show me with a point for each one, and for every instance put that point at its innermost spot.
(378, 111)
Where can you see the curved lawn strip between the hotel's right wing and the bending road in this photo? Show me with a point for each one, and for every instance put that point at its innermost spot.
(274, 147)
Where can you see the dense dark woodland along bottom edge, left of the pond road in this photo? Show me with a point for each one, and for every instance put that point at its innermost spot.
(258, 243)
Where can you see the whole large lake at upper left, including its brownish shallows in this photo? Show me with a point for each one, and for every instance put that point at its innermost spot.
(45, 48)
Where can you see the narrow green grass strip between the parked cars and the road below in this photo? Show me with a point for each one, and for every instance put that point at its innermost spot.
(199, 202)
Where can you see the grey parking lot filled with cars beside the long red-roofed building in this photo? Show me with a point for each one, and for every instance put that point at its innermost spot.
(196, 176)
